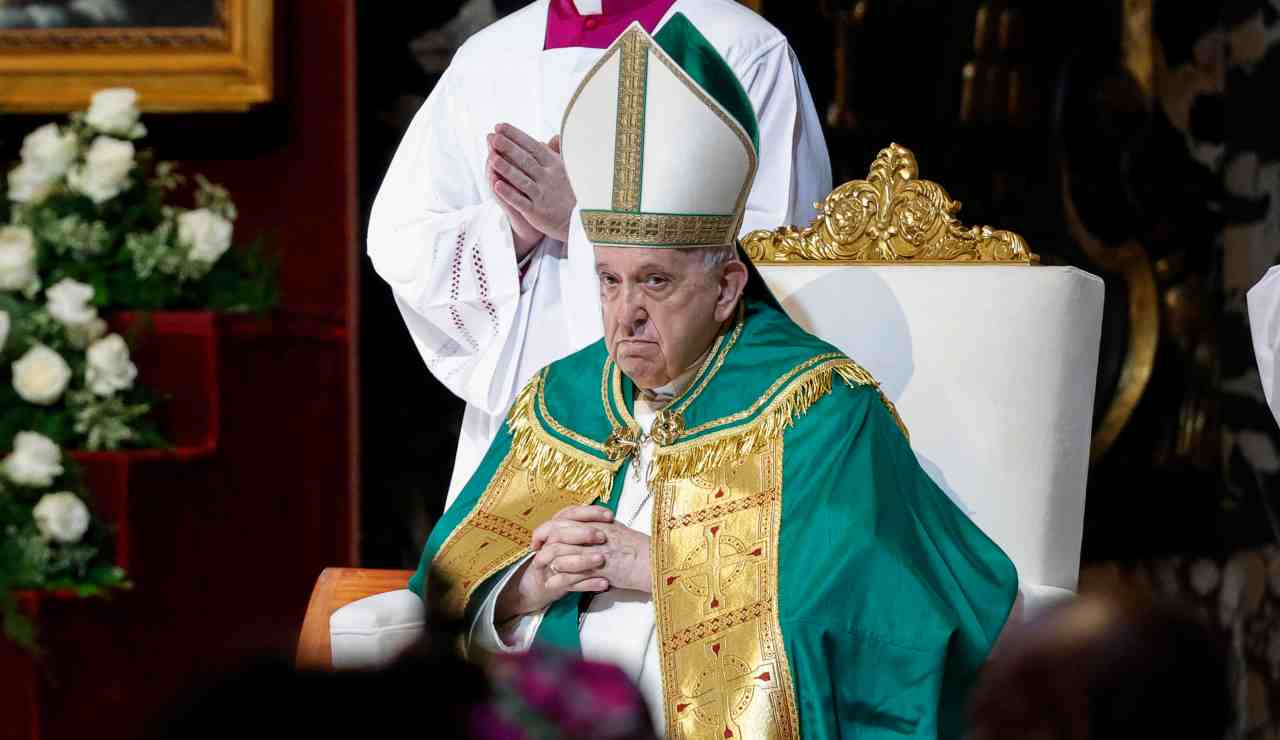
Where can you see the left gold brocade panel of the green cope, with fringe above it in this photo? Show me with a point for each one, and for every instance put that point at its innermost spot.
(540, 477)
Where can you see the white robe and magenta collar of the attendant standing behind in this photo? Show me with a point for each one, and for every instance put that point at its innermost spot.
(486, 322)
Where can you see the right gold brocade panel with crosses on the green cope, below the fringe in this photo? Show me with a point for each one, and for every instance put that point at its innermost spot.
(725, 669)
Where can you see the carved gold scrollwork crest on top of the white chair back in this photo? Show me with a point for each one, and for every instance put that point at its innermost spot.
(890, 217)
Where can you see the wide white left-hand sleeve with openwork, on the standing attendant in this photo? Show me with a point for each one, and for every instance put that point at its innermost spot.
(445, 246)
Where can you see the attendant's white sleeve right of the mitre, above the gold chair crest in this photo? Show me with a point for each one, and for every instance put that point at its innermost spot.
(794, 170)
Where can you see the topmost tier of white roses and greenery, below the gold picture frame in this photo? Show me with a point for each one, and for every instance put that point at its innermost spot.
(84, 195)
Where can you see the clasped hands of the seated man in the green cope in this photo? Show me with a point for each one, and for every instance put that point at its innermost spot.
(580, 550)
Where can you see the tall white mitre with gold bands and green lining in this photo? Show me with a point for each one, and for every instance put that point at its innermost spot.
(660, 143)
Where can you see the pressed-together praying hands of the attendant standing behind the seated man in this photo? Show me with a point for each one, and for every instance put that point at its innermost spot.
(529, 179)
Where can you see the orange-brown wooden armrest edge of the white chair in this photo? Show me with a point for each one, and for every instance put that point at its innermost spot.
(335, 590)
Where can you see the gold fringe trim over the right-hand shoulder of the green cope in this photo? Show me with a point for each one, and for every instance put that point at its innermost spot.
(721, 449)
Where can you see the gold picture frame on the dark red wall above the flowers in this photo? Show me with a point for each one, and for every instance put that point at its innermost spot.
(225, 67)
